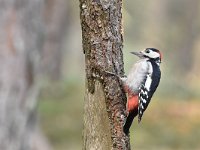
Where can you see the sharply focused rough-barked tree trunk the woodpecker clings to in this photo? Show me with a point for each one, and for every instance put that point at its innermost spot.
(104, 112)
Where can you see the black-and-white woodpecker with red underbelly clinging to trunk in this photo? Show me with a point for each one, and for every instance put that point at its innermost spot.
(141, 83)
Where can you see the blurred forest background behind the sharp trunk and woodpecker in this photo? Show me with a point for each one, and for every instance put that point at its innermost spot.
(42, 66)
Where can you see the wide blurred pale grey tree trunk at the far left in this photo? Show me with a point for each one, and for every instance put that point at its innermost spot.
(21, 32)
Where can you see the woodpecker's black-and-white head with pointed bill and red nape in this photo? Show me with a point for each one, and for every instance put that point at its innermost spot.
(151, 53)
